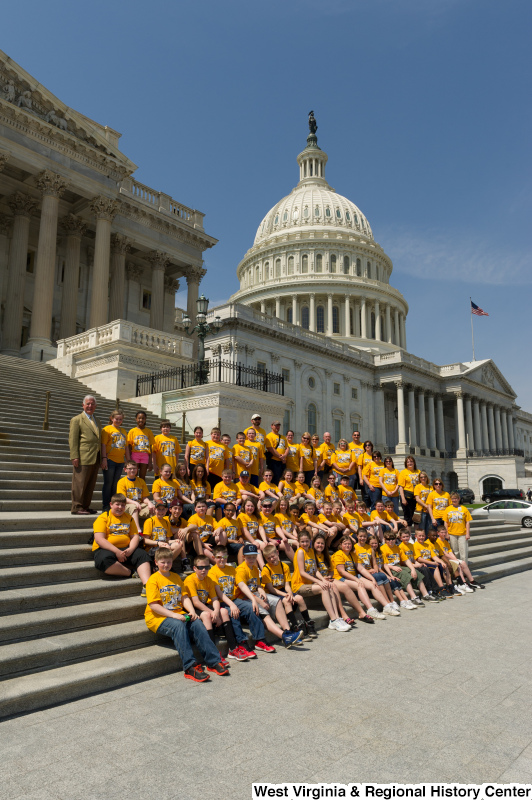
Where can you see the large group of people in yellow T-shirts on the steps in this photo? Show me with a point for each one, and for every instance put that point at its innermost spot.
(261, 525)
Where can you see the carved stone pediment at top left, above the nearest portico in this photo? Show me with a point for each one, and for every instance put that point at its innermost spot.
(21, 94)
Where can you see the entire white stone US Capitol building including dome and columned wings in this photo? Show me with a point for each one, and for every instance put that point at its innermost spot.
(91, 259)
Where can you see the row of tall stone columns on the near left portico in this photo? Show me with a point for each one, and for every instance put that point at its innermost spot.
(109, 259)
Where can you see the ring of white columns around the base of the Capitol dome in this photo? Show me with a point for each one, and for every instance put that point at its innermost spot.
(384, 330)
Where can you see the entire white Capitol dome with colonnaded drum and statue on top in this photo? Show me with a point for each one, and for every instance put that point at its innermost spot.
(315, 264)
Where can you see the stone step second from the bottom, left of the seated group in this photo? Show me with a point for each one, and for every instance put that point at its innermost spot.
(53, 651)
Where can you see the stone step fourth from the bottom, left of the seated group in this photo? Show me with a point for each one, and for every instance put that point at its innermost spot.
(27, 598)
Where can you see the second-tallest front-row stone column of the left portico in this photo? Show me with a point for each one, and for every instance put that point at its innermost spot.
(104, 209)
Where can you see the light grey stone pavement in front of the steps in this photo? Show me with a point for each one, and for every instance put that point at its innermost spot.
(441, 694)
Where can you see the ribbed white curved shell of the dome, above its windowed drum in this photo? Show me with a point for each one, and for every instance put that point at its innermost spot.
(313, 206)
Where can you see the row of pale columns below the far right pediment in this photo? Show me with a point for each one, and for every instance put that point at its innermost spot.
(481, 426)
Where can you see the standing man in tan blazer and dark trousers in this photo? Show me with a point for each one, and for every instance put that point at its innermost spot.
(84, 441)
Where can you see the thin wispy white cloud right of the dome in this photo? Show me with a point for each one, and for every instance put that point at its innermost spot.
(438, 256)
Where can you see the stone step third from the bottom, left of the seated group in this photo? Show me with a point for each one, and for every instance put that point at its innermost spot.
(37, 623)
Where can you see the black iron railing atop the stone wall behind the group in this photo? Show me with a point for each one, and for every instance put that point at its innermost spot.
(210, 371)
